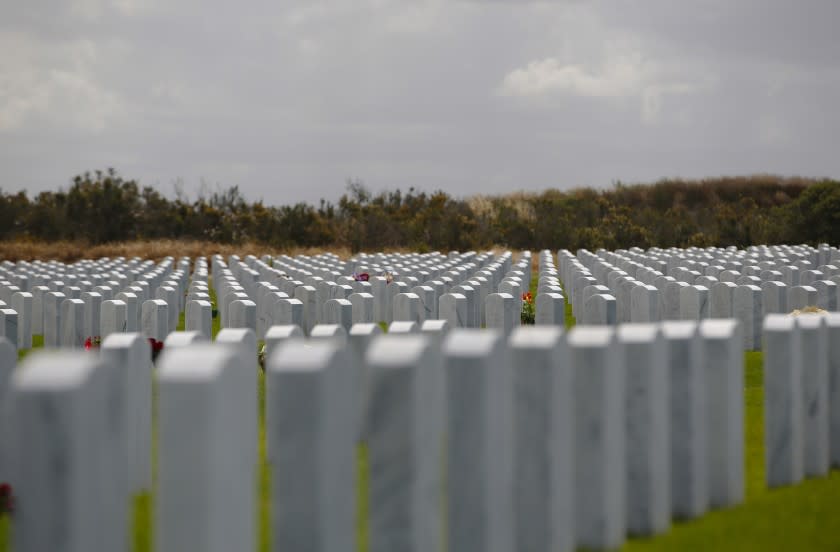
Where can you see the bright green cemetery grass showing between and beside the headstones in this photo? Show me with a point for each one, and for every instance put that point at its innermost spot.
(799, 517)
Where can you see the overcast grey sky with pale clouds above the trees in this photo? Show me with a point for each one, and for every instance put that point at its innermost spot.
(289, 99)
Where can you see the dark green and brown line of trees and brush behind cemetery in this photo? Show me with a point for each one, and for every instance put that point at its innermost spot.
(103, 207)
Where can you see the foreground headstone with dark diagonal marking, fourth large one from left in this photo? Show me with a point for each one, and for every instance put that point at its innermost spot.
(405, 435)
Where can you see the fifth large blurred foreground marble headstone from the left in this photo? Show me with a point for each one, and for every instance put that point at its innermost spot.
(479, 502)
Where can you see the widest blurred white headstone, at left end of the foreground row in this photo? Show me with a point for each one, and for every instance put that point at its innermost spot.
(60, 397)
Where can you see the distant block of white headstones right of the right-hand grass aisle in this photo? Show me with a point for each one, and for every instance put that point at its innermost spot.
(694, 284)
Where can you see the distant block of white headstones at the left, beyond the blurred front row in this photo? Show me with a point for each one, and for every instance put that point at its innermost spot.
(67, 304)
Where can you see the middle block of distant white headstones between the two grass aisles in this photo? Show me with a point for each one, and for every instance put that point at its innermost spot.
(306, 291)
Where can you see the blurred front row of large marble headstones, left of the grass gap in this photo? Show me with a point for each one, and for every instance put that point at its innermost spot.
(548, 440)
